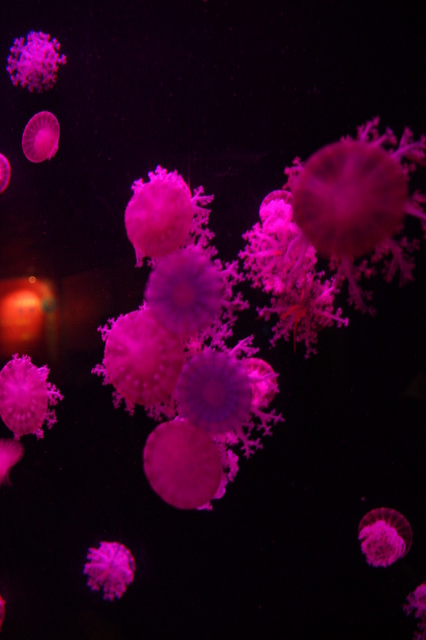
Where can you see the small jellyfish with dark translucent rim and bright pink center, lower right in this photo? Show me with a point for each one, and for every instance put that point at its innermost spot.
(386, 536)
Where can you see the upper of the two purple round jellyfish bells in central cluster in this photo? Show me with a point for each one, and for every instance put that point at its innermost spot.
(185, 292)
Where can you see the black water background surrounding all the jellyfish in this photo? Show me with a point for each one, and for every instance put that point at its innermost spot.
(227, 93)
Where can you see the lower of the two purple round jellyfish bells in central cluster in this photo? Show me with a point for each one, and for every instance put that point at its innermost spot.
(214, 392)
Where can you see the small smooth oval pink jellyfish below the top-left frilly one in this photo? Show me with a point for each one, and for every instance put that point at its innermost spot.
(41, 136)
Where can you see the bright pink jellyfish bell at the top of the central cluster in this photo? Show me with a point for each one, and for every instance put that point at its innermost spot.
(159, 215)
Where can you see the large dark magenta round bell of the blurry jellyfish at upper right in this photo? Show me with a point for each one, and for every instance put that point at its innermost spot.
(350, 197)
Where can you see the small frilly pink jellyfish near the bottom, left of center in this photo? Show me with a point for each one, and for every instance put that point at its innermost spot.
(110, 567)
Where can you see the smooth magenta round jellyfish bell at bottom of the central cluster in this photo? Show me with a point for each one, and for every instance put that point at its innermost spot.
(182, 464)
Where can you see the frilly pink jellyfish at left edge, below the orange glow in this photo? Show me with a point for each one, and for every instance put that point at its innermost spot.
(26, 397)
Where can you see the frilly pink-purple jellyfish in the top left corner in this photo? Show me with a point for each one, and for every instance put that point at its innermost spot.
(33, 62)
